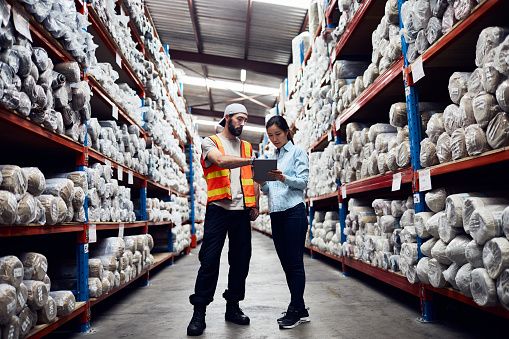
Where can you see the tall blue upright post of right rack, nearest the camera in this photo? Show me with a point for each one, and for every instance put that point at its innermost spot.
(414, 126)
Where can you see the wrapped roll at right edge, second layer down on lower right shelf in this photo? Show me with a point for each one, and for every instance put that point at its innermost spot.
(495, 256)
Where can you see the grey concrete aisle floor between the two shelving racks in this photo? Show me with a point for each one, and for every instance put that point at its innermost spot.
(340, 307)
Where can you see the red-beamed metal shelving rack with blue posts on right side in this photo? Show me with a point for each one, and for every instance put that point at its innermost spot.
(447, 53)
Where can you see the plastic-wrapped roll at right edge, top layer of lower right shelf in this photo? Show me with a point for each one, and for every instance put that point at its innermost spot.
(486, 223)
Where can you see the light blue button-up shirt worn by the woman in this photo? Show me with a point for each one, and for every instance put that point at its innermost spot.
(294, 164)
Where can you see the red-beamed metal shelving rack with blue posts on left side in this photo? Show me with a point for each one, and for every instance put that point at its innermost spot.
(25, 133)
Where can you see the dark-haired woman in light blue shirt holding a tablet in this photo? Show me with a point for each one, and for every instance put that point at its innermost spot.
(288, 215)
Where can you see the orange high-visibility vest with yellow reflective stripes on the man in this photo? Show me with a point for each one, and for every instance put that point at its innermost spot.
(218, 179)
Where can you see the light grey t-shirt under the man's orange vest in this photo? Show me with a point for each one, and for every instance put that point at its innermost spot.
(231, 147)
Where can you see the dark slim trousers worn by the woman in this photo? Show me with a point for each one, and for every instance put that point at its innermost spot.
(289, 234)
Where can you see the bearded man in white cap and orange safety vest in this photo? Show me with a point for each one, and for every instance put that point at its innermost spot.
(232, 203)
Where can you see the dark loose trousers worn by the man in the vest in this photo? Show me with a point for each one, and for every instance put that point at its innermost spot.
(218, 223)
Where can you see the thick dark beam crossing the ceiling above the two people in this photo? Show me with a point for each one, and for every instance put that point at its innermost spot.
(235, 63)
